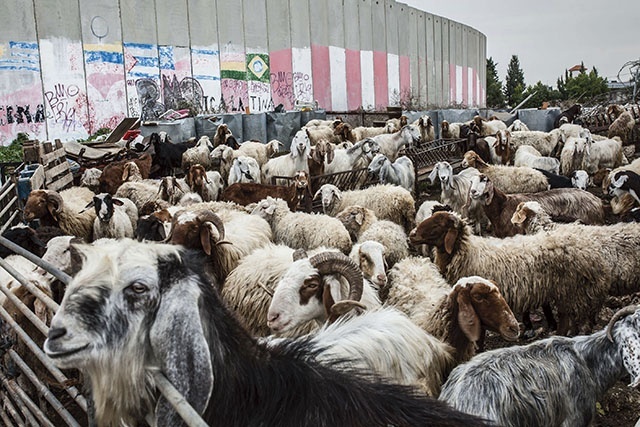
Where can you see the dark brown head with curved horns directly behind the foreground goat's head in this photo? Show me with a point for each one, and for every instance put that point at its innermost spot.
(202, 230)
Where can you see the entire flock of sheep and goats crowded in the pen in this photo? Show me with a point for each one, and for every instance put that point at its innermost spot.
(373, 312)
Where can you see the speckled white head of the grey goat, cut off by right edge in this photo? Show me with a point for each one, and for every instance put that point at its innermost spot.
(623, 330)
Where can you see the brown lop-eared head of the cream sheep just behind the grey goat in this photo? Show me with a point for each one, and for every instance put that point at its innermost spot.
(480, 305)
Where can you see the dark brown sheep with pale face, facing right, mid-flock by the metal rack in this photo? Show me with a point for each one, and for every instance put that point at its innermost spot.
(247, 193)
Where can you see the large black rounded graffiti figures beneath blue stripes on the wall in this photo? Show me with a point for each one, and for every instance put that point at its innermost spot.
(176, 95)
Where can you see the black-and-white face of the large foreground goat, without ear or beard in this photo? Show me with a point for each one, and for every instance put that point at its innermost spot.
(106, 306)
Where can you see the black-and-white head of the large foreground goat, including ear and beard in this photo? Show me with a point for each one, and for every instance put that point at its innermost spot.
(132, 303)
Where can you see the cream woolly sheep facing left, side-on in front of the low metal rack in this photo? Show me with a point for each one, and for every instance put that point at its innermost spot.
(389, 202)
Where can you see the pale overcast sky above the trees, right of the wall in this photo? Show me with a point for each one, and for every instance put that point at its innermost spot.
(550, 36)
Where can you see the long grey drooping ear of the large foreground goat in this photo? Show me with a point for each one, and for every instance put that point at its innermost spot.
(181, 350)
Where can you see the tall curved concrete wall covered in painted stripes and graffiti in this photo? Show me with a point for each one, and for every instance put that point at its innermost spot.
(71, 67)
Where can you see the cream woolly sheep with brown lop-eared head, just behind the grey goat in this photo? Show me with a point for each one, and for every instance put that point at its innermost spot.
(457, 315)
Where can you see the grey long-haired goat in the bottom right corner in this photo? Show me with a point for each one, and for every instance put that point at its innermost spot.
(555, 381)
